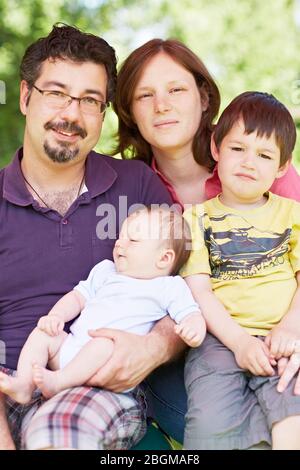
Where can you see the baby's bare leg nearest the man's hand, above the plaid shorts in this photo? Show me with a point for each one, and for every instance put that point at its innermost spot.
(91, 357)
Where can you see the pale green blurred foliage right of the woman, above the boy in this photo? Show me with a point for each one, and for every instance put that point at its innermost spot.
(246, 44)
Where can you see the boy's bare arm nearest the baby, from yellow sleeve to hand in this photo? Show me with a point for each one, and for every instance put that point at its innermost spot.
(250, 352)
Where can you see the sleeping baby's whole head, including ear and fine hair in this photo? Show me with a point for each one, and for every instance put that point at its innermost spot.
(152, 242)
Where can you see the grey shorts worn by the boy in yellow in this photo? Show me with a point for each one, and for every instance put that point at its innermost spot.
(229, 408)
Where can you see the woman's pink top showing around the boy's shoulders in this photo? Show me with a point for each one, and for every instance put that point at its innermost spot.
(286, 186)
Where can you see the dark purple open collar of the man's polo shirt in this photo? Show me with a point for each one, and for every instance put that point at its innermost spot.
(99, 177)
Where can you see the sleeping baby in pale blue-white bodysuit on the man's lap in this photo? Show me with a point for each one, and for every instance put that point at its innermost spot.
(131, 294)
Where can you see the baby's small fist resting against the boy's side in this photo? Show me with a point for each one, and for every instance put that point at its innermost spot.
(192, 329)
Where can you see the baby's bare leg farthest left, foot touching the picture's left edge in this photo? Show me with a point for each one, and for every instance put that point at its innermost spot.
(38, 348)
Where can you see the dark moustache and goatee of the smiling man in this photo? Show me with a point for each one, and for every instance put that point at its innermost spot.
(63, 153)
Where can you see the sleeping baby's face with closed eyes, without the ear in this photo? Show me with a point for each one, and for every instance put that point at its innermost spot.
(138, 247)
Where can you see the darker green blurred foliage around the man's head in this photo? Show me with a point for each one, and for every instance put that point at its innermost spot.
(21, 23)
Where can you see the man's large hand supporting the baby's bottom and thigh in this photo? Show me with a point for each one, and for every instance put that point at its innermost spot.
(134, 357)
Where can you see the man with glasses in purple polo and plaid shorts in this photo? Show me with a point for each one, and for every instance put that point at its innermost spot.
(58, 201)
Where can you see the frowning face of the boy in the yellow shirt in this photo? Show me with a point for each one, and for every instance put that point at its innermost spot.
(248, 164)
